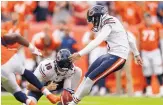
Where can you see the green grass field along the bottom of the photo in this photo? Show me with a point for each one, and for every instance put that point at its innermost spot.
(95, 100)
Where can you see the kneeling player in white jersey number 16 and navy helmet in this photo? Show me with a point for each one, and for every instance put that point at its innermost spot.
(60, 74)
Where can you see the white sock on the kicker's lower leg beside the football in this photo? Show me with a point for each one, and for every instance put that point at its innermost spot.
(83, 90)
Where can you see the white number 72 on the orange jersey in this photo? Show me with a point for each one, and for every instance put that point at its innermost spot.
(149, 35)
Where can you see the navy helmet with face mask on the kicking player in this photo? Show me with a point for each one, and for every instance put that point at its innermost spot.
(95, 14)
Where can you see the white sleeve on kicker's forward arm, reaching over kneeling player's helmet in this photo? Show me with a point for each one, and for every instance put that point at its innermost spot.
(98, 40)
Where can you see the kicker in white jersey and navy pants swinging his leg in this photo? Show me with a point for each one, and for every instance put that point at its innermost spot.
(109, 29)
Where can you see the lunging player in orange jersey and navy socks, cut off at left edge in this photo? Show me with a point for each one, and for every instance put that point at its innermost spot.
(11, 64)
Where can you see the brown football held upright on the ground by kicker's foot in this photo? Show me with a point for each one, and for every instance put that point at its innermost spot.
(66, 97)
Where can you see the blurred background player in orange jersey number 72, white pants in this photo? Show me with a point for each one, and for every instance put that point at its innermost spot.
(150, 35)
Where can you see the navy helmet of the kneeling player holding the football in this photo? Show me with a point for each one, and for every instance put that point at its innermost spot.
(63, 61)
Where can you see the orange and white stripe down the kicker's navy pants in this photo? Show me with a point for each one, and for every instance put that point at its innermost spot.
(113, 67)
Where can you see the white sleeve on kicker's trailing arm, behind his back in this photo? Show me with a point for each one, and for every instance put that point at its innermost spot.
(132, 44)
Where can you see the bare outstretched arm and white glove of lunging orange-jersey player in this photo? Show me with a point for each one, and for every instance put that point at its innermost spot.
(16, 38)
